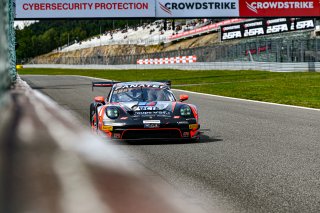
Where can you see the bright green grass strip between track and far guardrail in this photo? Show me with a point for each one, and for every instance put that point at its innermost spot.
(301, 89)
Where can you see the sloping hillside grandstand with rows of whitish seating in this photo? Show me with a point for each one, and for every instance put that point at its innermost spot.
(152, 33)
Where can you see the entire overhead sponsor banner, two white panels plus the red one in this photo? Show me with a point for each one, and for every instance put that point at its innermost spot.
(41, 9)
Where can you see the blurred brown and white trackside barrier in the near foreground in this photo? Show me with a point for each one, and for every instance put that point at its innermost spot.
(49, 164)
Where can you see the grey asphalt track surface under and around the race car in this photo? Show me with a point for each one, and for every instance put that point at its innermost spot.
(253, 157)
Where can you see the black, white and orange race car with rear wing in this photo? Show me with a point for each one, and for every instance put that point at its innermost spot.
(143, 110)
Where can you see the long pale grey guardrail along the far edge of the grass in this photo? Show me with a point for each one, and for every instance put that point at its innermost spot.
(266, 66)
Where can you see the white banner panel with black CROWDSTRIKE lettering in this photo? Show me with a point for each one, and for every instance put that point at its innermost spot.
(197, 8)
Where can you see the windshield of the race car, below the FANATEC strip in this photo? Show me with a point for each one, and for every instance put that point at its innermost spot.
(141, 94)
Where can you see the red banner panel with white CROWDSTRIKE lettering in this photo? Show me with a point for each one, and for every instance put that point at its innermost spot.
(276, 8)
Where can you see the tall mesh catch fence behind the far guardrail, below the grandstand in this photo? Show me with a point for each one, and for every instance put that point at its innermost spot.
(285, 48)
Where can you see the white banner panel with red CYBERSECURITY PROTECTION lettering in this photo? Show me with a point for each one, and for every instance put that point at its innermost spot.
(37, 9)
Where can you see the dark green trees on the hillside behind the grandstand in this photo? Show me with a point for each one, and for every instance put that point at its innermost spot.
(47, 35)
